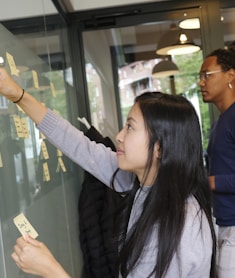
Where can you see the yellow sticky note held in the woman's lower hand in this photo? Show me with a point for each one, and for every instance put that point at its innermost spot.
(24, 226)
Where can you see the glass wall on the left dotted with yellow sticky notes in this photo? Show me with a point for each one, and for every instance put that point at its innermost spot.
(35, 177)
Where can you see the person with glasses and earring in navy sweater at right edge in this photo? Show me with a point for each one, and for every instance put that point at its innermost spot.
(217, 83)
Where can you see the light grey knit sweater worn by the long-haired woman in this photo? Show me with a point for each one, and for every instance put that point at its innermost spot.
(193, 258)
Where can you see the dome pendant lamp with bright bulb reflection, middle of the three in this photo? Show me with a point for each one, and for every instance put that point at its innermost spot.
(176, 42)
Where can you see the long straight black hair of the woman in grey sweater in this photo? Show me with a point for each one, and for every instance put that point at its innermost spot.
(173, 123)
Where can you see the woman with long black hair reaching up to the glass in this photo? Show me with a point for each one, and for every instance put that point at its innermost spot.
(164, 224)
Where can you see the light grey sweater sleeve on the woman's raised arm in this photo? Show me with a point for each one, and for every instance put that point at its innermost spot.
(95, 158)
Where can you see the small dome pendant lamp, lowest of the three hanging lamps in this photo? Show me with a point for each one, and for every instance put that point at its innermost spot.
(164, 68)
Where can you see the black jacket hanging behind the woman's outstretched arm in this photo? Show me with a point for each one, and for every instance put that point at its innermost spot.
(97, 204)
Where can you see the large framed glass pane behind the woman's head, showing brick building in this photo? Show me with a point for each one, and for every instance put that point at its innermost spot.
(130, 54)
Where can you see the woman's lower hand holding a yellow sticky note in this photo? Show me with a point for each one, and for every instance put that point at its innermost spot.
(32, 256)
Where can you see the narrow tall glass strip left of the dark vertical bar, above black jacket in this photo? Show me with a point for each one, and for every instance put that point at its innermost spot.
(102, 98)
